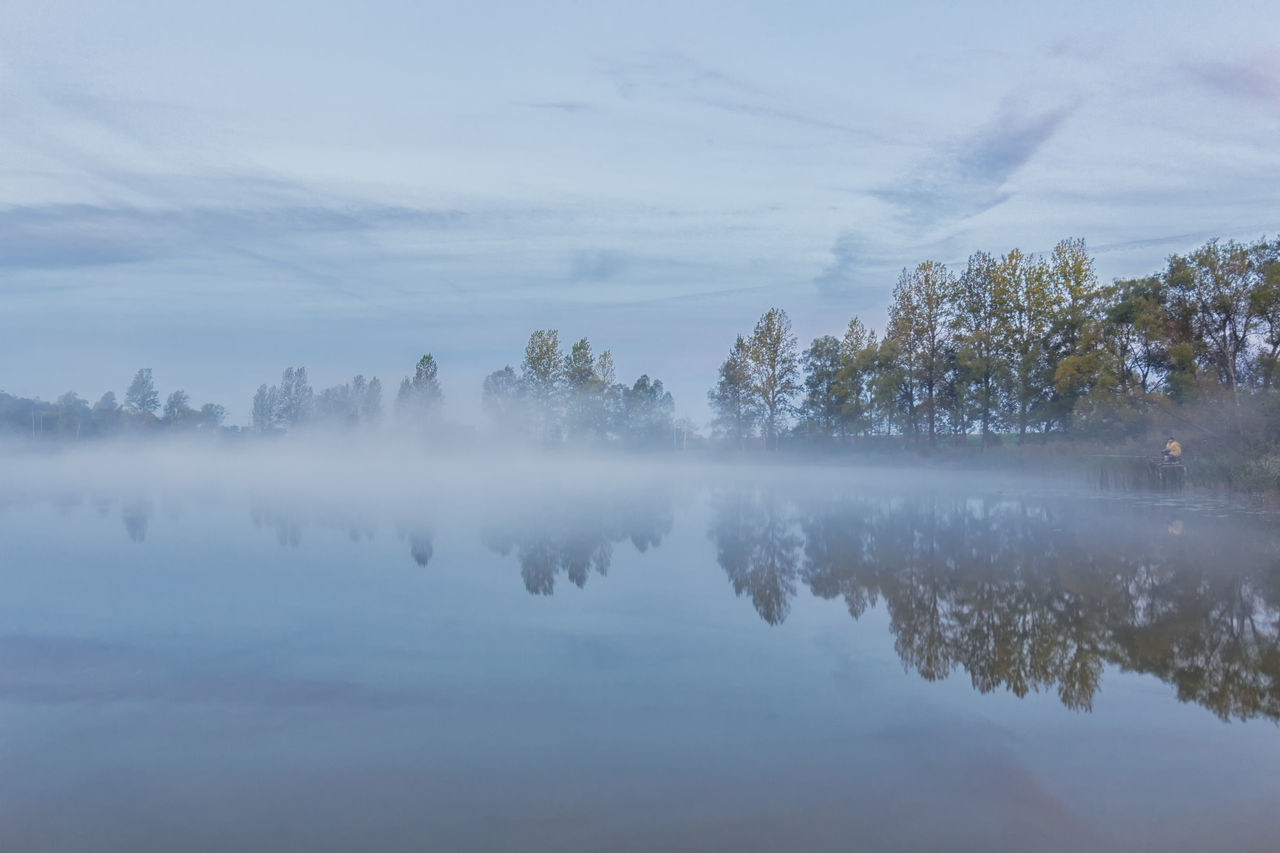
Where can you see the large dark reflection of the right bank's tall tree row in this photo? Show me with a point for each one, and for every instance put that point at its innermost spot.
(1032, 596)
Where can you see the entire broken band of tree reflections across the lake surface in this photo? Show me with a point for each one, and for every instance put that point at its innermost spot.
(1025, 595)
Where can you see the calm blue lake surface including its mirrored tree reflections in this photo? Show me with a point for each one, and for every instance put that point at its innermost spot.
(780, 662)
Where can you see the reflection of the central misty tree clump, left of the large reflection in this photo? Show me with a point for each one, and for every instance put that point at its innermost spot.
(577, 536)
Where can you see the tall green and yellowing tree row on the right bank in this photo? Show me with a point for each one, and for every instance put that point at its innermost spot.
(1018, 345)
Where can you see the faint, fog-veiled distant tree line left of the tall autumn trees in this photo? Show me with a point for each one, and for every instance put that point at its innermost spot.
(556, 398)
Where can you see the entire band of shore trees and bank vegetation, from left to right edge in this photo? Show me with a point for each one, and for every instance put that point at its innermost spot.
(1012, 350)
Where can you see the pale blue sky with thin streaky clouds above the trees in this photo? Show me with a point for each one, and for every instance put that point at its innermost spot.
(222, 190)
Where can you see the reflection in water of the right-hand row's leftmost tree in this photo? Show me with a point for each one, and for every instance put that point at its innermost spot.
(758, 549)
